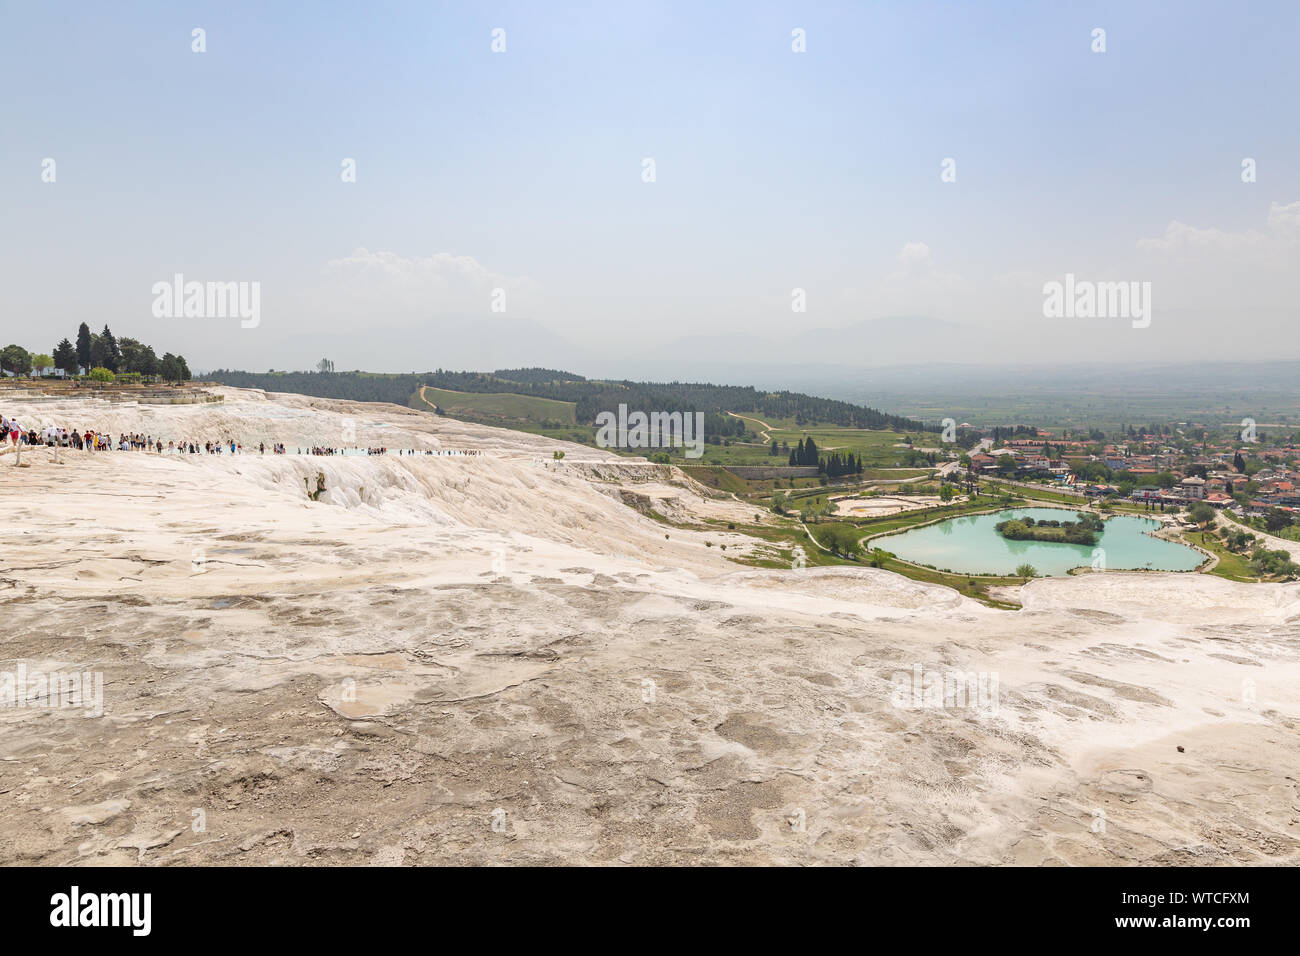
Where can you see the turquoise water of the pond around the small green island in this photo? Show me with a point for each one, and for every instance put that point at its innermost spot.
(972, 546)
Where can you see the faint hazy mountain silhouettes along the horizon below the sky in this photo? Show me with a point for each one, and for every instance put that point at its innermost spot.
(795, 360)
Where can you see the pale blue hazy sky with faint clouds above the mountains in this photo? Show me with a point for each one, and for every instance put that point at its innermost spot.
(523, 171)
